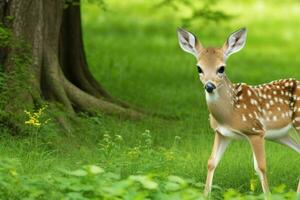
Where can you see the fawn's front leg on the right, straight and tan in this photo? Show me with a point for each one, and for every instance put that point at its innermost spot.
(258, 148)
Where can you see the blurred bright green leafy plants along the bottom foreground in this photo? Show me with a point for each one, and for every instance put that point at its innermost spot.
(92, 182)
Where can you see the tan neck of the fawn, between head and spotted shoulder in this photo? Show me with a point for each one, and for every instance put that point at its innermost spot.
(221, 102)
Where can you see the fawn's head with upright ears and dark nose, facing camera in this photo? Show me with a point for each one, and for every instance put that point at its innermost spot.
(211, 61)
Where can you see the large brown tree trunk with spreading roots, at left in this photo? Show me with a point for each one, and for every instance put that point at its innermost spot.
(58, 69)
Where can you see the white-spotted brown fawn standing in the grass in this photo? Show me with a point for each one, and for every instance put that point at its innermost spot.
(240, 111)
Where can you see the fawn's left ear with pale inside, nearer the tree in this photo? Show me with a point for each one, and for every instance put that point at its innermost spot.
(188, 42)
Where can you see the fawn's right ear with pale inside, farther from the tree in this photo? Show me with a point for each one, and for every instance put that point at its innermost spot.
(235, 42)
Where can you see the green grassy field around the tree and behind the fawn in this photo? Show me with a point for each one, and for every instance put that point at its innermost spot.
(132, 50)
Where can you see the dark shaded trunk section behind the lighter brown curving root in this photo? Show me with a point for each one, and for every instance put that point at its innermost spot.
(73, 59)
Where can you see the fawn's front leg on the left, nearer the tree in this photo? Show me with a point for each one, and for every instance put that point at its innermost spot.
(219, 147)
